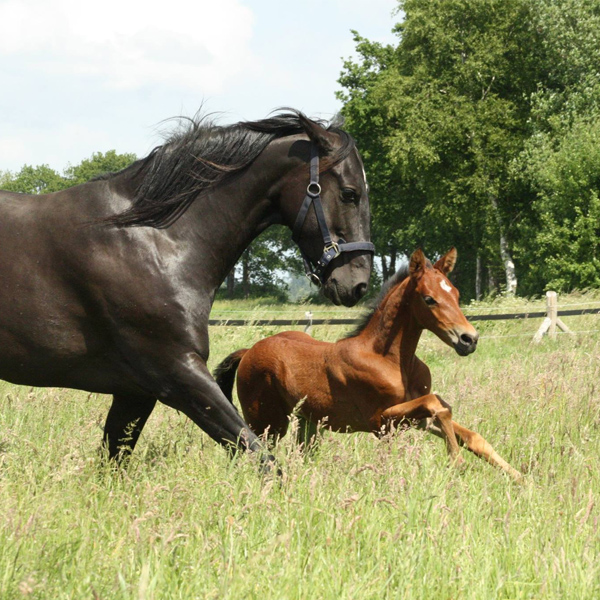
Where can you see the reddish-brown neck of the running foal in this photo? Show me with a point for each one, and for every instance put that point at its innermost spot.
(393, 331)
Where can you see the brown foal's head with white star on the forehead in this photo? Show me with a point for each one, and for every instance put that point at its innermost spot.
(435, 303)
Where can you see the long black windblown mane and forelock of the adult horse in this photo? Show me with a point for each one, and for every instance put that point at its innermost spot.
(200, 155)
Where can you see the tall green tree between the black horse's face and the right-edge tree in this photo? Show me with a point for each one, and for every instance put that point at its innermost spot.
(450, 107)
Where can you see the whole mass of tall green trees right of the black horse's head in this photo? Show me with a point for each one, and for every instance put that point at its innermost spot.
(459, 124)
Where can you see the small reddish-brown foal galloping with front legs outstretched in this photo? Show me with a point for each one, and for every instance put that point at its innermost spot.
(370, 379)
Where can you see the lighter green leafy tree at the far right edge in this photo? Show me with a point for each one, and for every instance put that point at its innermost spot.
(560, 165)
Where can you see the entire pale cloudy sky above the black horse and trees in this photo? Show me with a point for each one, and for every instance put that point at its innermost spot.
(79, 77)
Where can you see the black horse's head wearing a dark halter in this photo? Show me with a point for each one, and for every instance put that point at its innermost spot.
(334, 240)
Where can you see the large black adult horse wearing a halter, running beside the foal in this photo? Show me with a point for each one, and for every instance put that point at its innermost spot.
(107, 286)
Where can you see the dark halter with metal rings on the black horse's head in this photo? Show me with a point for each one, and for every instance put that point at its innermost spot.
(331, 249)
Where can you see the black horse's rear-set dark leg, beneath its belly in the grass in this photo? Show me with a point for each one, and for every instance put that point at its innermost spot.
(126, 419)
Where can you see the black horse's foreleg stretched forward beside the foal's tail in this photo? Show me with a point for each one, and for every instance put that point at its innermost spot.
(191, 389)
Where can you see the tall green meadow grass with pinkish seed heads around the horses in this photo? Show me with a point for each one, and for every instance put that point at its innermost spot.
(358, 518)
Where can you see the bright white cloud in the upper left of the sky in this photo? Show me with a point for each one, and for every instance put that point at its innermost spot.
(199, 46)
